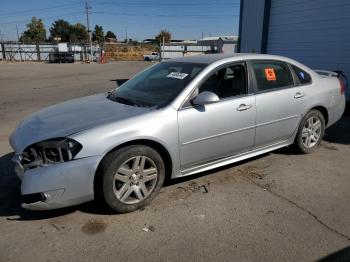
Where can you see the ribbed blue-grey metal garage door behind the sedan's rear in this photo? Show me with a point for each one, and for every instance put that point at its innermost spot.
(316, 33)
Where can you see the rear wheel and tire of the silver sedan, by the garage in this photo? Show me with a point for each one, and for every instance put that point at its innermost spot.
(310, 132)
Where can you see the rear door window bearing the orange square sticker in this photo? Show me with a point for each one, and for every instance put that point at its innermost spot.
(272, 75)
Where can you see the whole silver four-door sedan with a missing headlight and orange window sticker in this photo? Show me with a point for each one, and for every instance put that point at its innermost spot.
(176, 118)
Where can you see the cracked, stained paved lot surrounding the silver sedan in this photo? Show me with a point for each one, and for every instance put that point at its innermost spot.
(280, 206)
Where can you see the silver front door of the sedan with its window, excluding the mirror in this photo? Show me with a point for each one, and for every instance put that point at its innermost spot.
(221, 129)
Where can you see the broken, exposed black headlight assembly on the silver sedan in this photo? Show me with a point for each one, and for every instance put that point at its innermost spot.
(50, 151)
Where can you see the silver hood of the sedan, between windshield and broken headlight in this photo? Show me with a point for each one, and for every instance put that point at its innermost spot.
(70, 117)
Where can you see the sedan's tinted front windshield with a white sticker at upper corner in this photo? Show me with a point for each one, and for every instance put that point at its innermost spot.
(157, 85)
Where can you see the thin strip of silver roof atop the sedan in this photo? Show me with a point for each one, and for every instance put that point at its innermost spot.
(211, 58)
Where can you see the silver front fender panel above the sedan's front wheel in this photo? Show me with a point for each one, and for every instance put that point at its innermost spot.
(159, 126)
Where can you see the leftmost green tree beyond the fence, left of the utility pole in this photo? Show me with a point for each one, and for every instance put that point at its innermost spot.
(35, 32)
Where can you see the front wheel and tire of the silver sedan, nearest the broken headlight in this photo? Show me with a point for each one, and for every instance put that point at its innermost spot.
(131, 177)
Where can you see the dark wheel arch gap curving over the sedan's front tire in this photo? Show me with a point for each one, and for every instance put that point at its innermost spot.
(161, 149)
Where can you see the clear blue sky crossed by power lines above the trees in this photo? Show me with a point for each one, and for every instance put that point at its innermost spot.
(142, 18)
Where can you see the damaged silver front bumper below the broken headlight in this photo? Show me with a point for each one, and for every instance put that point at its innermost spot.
(57, 185)
